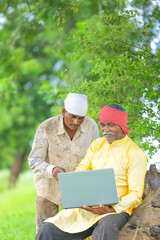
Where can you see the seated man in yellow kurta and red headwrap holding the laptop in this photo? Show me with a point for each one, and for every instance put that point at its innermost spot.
(115, 150)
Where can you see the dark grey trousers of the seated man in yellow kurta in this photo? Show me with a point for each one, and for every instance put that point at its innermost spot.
(107, 228)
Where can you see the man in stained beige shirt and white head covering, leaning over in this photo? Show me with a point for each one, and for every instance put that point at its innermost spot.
(59, 145)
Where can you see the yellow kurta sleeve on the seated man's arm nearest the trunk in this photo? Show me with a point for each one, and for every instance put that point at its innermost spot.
(137, 164)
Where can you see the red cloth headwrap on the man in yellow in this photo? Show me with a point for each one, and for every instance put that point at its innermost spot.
(108, 114)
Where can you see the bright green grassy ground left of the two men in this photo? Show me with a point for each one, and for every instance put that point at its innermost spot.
(17, 208)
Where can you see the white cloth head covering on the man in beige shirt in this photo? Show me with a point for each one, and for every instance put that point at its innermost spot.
(76, 103)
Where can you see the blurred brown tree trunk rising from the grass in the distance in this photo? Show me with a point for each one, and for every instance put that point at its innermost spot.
(16, 168)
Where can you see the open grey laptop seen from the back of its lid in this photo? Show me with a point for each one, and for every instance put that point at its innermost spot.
(89, 188)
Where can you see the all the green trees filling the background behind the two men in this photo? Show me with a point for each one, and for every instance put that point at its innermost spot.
(108, 50)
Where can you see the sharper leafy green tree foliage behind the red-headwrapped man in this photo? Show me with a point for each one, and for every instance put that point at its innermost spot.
(121, 71)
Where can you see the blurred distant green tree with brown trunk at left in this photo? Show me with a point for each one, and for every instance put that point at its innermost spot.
(24, 69)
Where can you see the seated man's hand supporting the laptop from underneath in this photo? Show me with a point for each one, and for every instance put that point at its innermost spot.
(102, 209)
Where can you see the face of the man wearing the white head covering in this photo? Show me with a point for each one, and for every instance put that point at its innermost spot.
(71, 121)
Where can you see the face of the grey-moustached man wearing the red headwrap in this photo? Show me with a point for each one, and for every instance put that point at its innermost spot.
(112, 131)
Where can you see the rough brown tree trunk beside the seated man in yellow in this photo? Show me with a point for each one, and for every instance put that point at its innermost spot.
(145, 221)
